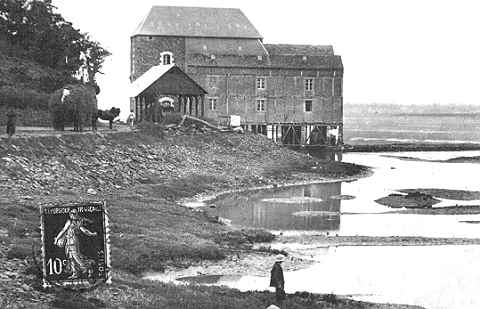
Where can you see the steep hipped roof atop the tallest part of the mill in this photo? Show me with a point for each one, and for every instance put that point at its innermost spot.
(197, 22)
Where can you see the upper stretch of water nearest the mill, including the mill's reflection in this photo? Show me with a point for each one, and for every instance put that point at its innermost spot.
(276, 210)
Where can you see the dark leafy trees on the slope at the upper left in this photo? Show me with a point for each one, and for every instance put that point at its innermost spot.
(34, 30)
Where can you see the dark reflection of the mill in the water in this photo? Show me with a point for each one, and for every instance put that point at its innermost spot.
(295, 208)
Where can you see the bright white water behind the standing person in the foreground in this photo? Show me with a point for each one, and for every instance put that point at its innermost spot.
(439, 277)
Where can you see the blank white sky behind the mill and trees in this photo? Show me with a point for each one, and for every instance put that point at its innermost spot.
(400, 52)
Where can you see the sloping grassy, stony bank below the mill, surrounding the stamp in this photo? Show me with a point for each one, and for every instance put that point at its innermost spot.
(142, 177)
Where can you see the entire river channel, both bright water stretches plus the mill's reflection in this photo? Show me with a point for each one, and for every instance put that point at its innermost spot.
(435, 277)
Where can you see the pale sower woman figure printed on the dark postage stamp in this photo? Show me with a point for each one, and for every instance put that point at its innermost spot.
(69, 238)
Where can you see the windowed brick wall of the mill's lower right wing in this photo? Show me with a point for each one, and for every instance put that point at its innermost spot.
(284, 94)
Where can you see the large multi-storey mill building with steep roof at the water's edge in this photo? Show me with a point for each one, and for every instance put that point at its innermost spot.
(292, 93)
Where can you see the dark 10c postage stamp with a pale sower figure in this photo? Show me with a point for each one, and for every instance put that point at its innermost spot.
(75, 245)
